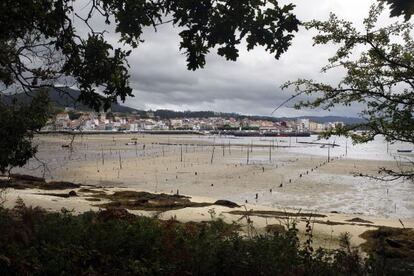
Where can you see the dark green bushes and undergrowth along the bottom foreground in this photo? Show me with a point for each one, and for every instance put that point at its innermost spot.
(34, 242)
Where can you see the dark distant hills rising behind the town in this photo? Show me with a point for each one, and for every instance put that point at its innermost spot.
(66, 97)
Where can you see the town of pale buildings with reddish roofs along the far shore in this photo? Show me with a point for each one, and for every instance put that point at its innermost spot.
(70, 120)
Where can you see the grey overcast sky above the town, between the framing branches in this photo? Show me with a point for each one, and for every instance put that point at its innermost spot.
(251, 85)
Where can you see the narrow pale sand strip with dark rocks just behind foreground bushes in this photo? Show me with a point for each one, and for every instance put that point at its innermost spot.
(327, 227)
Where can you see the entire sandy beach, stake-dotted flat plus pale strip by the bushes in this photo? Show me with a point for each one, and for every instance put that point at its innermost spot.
(260, 175)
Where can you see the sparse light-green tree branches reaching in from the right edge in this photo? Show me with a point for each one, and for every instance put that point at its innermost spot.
(380, 78)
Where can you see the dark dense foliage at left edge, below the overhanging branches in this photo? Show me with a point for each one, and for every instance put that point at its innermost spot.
(18, 124)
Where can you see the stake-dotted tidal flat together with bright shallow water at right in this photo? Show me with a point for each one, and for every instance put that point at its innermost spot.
(322, 190)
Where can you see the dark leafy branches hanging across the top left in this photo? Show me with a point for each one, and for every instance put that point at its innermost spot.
(40, 46)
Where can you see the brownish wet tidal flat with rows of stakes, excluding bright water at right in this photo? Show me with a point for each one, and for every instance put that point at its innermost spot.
(235, 172)
